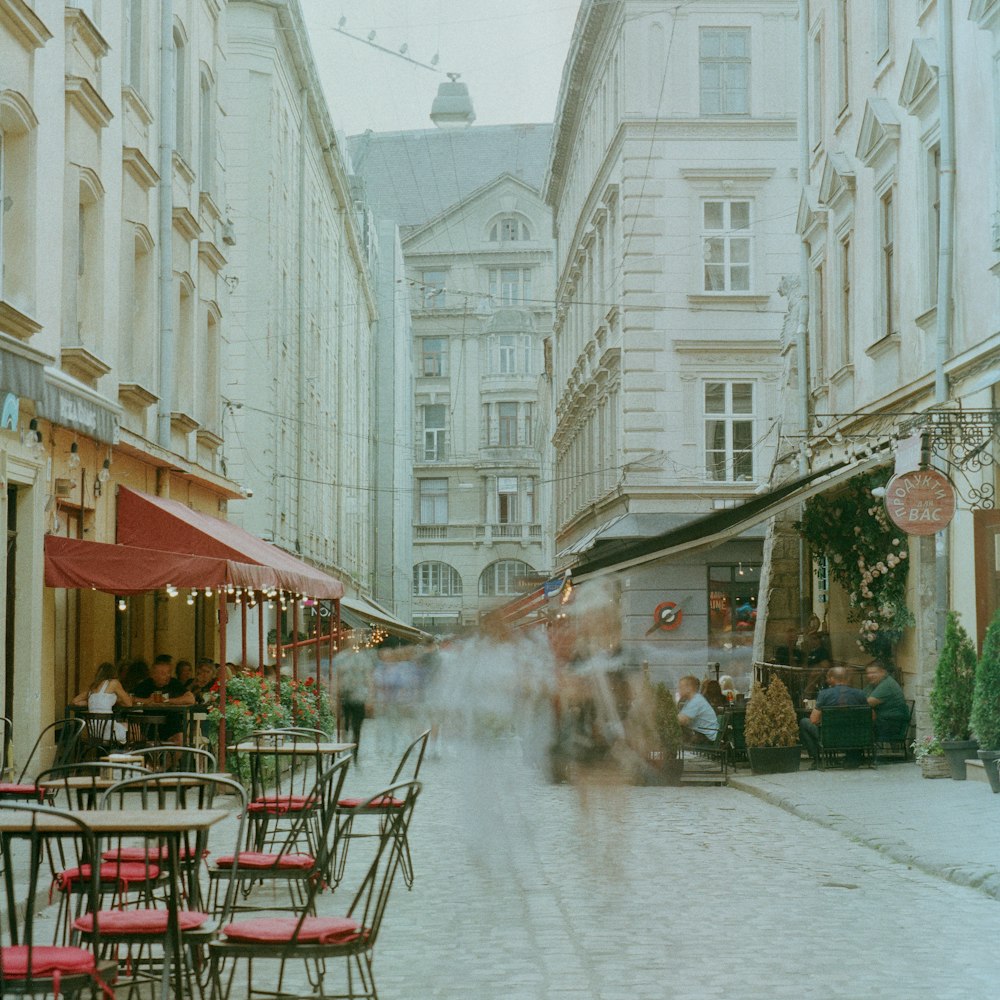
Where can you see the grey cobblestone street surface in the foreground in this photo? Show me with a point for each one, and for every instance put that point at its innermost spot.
(527, 891)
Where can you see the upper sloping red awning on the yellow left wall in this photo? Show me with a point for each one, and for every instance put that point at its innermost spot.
(150, 522)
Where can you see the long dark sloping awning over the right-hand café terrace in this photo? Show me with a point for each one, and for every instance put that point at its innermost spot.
(720, 525)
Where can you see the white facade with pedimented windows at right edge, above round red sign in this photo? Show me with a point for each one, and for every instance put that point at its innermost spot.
(900, 211)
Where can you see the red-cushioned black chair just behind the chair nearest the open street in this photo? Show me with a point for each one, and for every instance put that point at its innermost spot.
(284, 867)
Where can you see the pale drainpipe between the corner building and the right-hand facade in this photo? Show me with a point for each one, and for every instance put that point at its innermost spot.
(802, 324)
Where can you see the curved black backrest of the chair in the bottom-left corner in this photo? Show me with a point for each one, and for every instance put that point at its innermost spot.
(47, 832)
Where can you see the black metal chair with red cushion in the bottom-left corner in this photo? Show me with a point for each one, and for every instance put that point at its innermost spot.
(29, 966)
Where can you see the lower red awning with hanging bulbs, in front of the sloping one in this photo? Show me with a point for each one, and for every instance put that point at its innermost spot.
(128, 569)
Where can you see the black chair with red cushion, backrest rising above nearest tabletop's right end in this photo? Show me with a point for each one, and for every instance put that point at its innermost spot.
(144, 931)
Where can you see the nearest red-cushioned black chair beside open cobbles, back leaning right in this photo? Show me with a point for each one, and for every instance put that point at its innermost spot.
(317, 940)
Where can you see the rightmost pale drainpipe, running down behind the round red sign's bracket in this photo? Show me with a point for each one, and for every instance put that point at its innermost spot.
(945, 278)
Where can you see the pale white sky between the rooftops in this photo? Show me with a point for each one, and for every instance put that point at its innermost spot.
(510, 53)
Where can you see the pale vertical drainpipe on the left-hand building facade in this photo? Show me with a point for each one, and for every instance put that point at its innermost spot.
(168, 126)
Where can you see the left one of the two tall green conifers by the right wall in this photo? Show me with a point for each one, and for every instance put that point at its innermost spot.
(951, 698)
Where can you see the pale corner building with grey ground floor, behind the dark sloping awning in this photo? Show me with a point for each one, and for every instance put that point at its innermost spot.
(672, 184)
